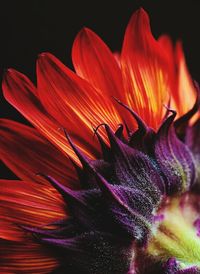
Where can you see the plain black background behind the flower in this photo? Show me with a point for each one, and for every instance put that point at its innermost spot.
(31, 27)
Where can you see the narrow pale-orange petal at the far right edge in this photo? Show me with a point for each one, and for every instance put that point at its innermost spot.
(186, 94)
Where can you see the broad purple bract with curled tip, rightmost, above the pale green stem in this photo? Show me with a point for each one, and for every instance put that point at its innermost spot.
(174, 158)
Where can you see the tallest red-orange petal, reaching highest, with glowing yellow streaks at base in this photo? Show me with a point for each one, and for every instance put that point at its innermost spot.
(146, 69)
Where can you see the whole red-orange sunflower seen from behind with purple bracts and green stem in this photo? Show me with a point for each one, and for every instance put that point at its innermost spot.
(109, 172)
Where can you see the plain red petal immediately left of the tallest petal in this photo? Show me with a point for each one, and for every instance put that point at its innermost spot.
(94, 62)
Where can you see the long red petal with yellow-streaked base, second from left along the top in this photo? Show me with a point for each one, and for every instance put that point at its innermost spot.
(73, 101)
